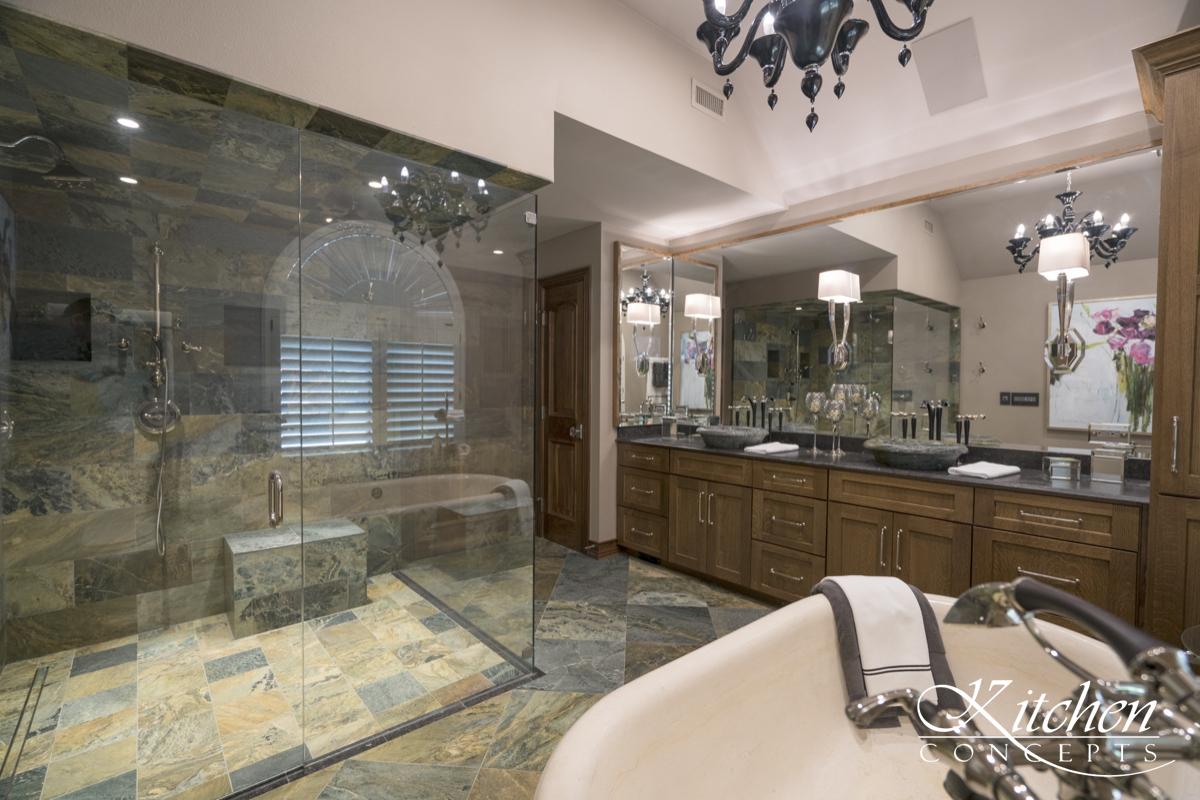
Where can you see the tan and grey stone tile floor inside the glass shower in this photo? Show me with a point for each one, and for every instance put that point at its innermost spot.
(190, 712)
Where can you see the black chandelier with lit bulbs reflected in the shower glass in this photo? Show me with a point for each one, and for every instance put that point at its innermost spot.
(429, 204)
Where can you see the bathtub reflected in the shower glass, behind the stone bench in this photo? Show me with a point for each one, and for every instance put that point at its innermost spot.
(418, 518)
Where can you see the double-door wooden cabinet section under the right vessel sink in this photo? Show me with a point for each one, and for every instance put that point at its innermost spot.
(932, 555)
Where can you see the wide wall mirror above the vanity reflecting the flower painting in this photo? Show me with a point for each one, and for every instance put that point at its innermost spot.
(955, 308)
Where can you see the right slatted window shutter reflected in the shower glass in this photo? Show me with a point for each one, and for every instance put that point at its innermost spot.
(421, 383)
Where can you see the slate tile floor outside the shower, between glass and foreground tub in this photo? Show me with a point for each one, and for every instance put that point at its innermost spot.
(601, 624)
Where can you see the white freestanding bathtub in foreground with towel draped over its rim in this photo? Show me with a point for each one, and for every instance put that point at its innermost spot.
(760, 714)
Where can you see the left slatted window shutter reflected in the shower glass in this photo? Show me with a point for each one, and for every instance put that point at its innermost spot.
(326, 392)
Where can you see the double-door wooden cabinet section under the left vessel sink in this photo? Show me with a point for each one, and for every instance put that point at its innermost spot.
(711, 528)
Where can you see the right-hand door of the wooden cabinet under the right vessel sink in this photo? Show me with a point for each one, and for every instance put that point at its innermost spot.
(932, 555)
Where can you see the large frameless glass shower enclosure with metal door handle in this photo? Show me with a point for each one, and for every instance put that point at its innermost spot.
(267, 383)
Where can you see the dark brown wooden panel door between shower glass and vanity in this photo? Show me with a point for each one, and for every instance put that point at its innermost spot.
(565, 419)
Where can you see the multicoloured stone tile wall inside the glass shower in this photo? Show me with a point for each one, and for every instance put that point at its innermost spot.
(219, 170)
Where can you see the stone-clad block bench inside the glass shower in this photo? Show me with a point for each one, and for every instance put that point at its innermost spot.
(275, 578)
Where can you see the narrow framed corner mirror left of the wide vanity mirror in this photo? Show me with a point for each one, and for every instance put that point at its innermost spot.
(667, 330)
